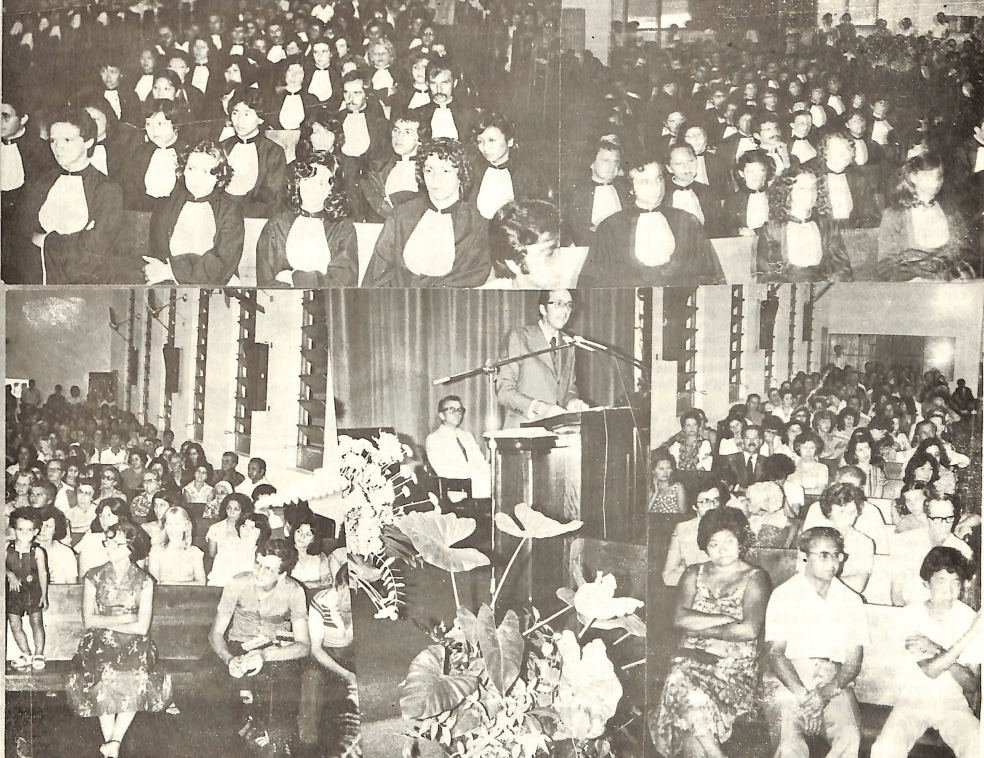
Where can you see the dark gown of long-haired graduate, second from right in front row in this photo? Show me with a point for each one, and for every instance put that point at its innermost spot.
(772, 256)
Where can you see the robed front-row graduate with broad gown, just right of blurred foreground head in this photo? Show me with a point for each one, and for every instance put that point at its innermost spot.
(651, 243)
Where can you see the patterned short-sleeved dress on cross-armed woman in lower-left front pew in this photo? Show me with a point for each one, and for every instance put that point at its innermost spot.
(116, 670)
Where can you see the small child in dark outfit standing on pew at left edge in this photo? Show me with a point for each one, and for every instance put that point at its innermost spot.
(27, 587)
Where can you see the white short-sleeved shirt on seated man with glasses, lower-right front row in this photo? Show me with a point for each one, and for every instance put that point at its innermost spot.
(814, 626)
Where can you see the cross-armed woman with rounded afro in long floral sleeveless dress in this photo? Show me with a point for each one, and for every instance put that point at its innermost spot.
(720, 610)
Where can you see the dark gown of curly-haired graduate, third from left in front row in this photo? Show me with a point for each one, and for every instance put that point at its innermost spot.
(271, 254)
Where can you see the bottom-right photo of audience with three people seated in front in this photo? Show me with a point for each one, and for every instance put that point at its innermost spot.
(814, 527)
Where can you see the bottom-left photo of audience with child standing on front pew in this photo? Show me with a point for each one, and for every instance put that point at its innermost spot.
(177, 579)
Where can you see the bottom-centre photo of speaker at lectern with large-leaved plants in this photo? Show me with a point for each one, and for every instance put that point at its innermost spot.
(497, 447)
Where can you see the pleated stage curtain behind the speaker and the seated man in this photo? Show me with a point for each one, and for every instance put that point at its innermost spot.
(387, 347)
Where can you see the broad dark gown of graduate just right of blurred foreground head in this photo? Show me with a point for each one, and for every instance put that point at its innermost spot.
(612, 261)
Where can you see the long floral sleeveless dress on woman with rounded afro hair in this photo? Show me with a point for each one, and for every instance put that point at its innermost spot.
(711, 682)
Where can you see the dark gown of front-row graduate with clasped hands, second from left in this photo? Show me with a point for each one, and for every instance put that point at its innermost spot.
(217, 265)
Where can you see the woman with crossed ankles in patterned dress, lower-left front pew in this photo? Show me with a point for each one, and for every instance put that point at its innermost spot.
(116, 658)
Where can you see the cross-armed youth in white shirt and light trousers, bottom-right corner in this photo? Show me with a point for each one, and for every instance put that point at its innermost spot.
(933, 679)
